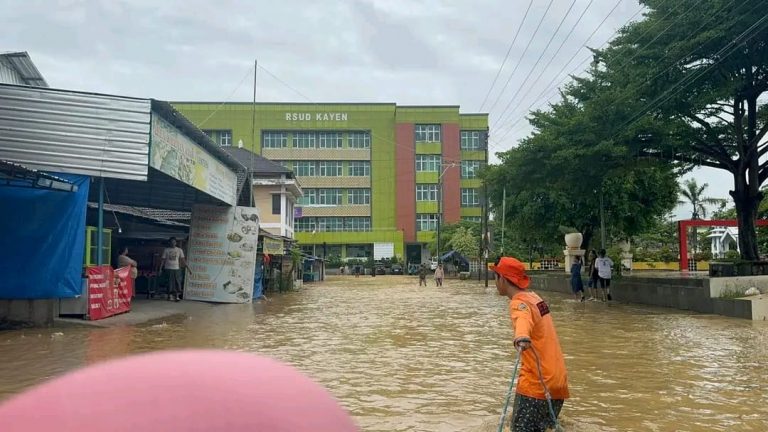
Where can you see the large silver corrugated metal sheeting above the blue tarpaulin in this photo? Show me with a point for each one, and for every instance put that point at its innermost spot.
(75, 132)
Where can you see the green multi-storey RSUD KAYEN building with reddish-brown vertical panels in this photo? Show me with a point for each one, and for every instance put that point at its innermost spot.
(371, 173)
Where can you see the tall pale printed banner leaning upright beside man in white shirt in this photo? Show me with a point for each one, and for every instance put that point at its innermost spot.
(222, 254)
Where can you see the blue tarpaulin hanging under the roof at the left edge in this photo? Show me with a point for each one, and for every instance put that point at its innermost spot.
(43, 234)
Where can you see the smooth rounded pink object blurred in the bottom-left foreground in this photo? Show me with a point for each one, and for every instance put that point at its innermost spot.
(178, 391)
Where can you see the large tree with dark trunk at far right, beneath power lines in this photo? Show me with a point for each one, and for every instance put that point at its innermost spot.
(686, 84)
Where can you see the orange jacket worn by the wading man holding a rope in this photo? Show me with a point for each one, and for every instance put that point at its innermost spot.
(532, 320)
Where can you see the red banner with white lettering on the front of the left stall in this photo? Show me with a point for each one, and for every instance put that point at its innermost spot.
(109, 291)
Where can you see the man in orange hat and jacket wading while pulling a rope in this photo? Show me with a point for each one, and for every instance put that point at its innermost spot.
(542, 364)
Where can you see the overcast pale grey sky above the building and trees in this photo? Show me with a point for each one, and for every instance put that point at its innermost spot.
(403, 51)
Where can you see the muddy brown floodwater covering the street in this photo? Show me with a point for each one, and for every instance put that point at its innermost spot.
(401, 358)
